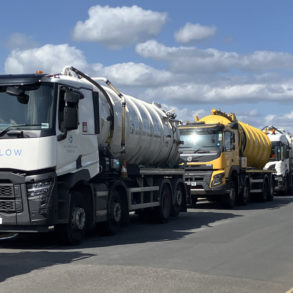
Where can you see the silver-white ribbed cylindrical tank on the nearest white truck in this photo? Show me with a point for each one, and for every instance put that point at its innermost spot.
(151, 138)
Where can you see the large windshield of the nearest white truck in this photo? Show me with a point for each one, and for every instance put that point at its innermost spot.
(27, 108)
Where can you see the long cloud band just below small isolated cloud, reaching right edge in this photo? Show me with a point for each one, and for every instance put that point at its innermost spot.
(191, 59)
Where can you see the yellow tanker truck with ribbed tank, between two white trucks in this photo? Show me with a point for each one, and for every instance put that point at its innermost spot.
(224, 160)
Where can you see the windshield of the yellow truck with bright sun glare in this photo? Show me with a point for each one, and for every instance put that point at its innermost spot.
(200, 139)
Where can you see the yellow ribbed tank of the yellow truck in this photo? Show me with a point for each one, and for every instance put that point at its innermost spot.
(255, 145)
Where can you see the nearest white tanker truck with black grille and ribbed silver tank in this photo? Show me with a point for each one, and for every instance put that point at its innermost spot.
(76, 153)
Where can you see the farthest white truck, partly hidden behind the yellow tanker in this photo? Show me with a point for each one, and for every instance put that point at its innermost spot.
(281, 159)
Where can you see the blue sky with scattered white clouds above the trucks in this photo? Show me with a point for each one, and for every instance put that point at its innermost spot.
(189, 55)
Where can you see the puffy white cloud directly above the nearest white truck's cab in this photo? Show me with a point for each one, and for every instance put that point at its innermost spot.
(49, 58)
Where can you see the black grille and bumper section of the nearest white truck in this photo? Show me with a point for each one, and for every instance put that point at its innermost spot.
(20, 212)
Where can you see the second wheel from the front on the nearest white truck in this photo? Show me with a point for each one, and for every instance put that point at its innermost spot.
(114, 216)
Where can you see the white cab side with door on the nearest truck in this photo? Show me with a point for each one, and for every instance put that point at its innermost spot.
(76, 147)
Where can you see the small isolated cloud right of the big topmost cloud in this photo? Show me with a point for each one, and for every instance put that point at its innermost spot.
(194, 32)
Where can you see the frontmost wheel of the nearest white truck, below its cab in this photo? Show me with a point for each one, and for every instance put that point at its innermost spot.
(73, 232)
